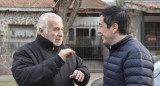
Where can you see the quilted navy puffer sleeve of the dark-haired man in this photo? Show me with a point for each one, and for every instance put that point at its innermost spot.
(138, 69)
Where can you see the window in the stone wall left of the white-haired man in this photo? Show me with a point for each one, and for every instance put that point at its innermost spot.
(20, 34)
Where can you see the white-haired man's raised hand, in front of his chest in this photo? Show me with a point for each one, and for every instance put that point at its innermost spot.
(66, 53)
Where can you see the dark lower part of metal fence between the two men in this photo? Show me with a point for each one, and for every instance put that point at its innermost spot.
(88, 48)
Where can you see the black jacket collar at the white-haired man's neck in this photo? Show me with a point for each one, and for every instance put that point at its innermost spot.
(44, 42)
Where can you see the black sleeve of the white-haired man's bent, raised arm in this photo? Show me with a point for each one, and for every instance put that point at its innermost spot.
(26, 73)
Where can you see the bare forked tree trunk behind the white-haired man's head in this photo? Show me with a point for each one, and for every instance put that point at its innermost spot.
(62, 8)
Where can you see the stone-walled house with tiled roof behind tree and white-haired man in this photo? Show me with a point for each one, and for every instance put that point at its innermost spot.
(18, 26)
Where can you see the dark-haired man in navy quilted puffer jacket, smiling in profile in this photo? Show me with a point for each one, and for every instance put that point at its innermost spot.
(128, 63)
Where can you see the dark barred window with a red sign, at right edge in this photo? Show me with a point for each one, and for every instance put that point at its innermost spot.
(152, 36)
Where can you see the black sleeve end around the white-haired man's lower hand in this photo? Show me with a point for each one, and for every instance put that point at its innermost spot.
(84, 69)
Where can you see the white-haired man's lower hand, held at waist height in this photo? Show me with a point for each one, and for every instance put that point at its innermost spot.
(78, 75)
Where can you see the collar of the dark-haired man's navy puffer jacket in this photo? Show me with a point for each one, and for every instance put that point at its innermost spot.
(121, 42)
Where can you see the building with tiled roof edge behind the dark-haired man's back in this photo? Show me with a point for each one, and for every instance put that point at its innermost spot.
(145, 22)
